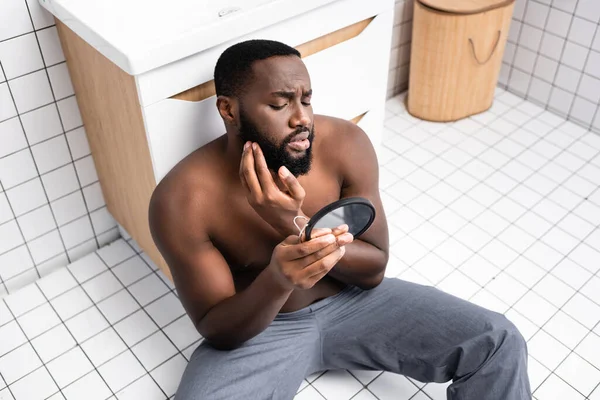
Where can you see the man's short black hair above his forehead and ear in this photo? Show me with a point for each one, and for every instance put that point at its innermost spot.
(235, 64)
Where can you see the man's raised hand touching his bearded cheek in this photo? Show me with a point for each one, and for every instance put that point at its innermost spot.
(276, 202)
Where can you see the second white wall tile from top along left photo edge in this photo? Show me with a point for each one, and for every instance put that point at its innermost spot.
(20, 56)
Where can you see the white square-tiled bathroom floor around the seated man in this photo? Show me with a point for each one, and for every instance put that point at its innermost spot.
(502, 209)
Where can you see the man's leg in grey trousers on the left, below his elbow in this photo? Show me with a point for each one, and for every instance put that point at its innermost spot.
(268, 366)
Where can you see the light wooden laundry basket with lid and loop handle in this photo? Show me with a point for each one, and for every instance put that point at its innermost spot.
(456, 55)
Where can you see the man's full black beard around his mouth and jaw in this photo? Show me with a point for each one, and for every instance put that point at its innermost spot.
(276, 156)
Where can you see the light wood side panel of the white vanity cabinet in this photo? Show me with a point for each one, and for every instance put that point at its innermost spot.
(112, 116)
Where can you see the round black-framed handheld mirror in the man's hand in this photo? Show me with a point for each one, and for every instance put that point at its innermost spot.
(357, 212)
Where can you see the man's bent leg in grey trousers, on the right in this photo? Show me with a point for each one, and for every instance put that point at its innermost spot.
(426, 334)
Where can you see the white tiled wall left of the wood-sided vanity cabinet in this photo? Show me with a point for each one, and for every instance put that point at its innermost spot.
(51, 206)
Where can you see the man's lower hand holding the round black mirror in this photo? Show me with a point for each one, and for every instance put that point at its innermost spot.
(301, 265)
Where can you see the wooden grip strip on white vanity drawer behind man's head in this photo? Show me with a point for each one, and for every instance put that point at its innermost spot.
(207, 89)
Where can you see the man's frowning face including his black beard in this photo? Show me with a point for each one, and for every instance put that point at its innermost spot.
(275, 112)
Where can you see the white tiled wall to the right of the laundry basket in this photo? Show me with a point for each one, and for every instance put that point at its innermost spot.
(553, 57)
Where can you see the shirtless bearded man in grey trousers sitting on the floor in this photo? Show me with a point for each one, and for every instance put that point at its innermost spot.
(272, 309)
